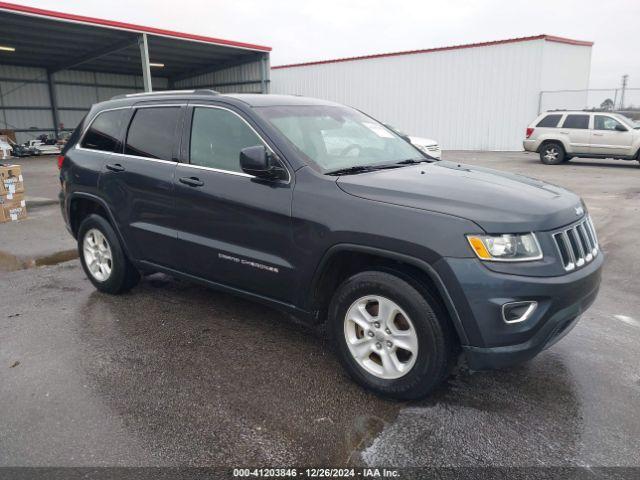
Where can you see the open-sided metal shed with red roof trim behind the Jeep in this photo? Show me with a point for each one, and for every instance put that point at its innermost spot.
(54, 66)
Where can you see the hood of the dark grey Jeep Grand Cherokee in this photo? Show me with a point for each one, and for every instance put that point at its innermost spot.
(498, 202)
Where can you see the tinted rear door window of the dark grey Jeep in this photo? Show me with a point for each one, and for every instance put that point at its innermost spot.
(152, 132)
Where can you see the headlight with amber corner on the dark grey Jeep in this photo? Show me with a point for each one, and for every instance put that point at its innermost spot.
(506, 248)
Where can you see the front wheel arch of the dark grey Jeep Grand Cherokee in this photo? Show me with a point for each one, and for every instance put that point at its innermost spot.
(343, 260)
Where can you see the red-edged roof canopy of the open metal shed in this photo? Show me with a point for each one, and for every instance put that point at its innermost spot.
(60, 41)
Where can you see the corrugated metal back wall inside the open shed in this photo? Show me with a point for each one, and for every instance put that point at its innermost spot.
(25, 103)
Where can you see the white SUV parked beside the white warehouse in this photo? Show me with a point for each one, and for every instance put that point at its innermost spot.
(560, 135)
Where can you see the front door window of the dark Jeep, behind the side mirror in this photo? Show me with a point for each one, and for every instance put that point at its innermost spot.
(217, 136)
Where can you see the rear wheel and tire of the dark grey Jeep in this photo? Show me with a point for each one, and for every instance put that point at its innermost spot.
(111, 272)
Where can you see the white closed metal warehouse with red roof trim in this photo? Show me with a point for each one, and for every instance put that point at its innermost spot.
(468, 97)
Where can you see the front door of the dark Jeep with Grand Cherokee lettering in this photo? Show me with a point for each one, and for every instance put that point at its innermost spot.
(235, 229)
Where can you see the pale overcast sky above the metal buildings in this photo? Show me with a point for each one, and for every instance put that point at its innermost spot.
(300, 31)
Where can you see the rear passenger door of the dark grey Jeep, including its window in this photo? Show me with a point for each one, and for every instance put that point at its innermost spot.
(137, 183)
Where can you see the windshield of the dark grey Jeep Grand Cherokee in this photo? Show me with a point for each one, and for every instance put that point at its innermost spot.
(336, 137)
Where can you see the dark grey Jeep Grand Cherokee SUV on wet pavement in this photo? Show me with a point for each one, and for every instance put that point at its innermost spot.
(406, 260)
